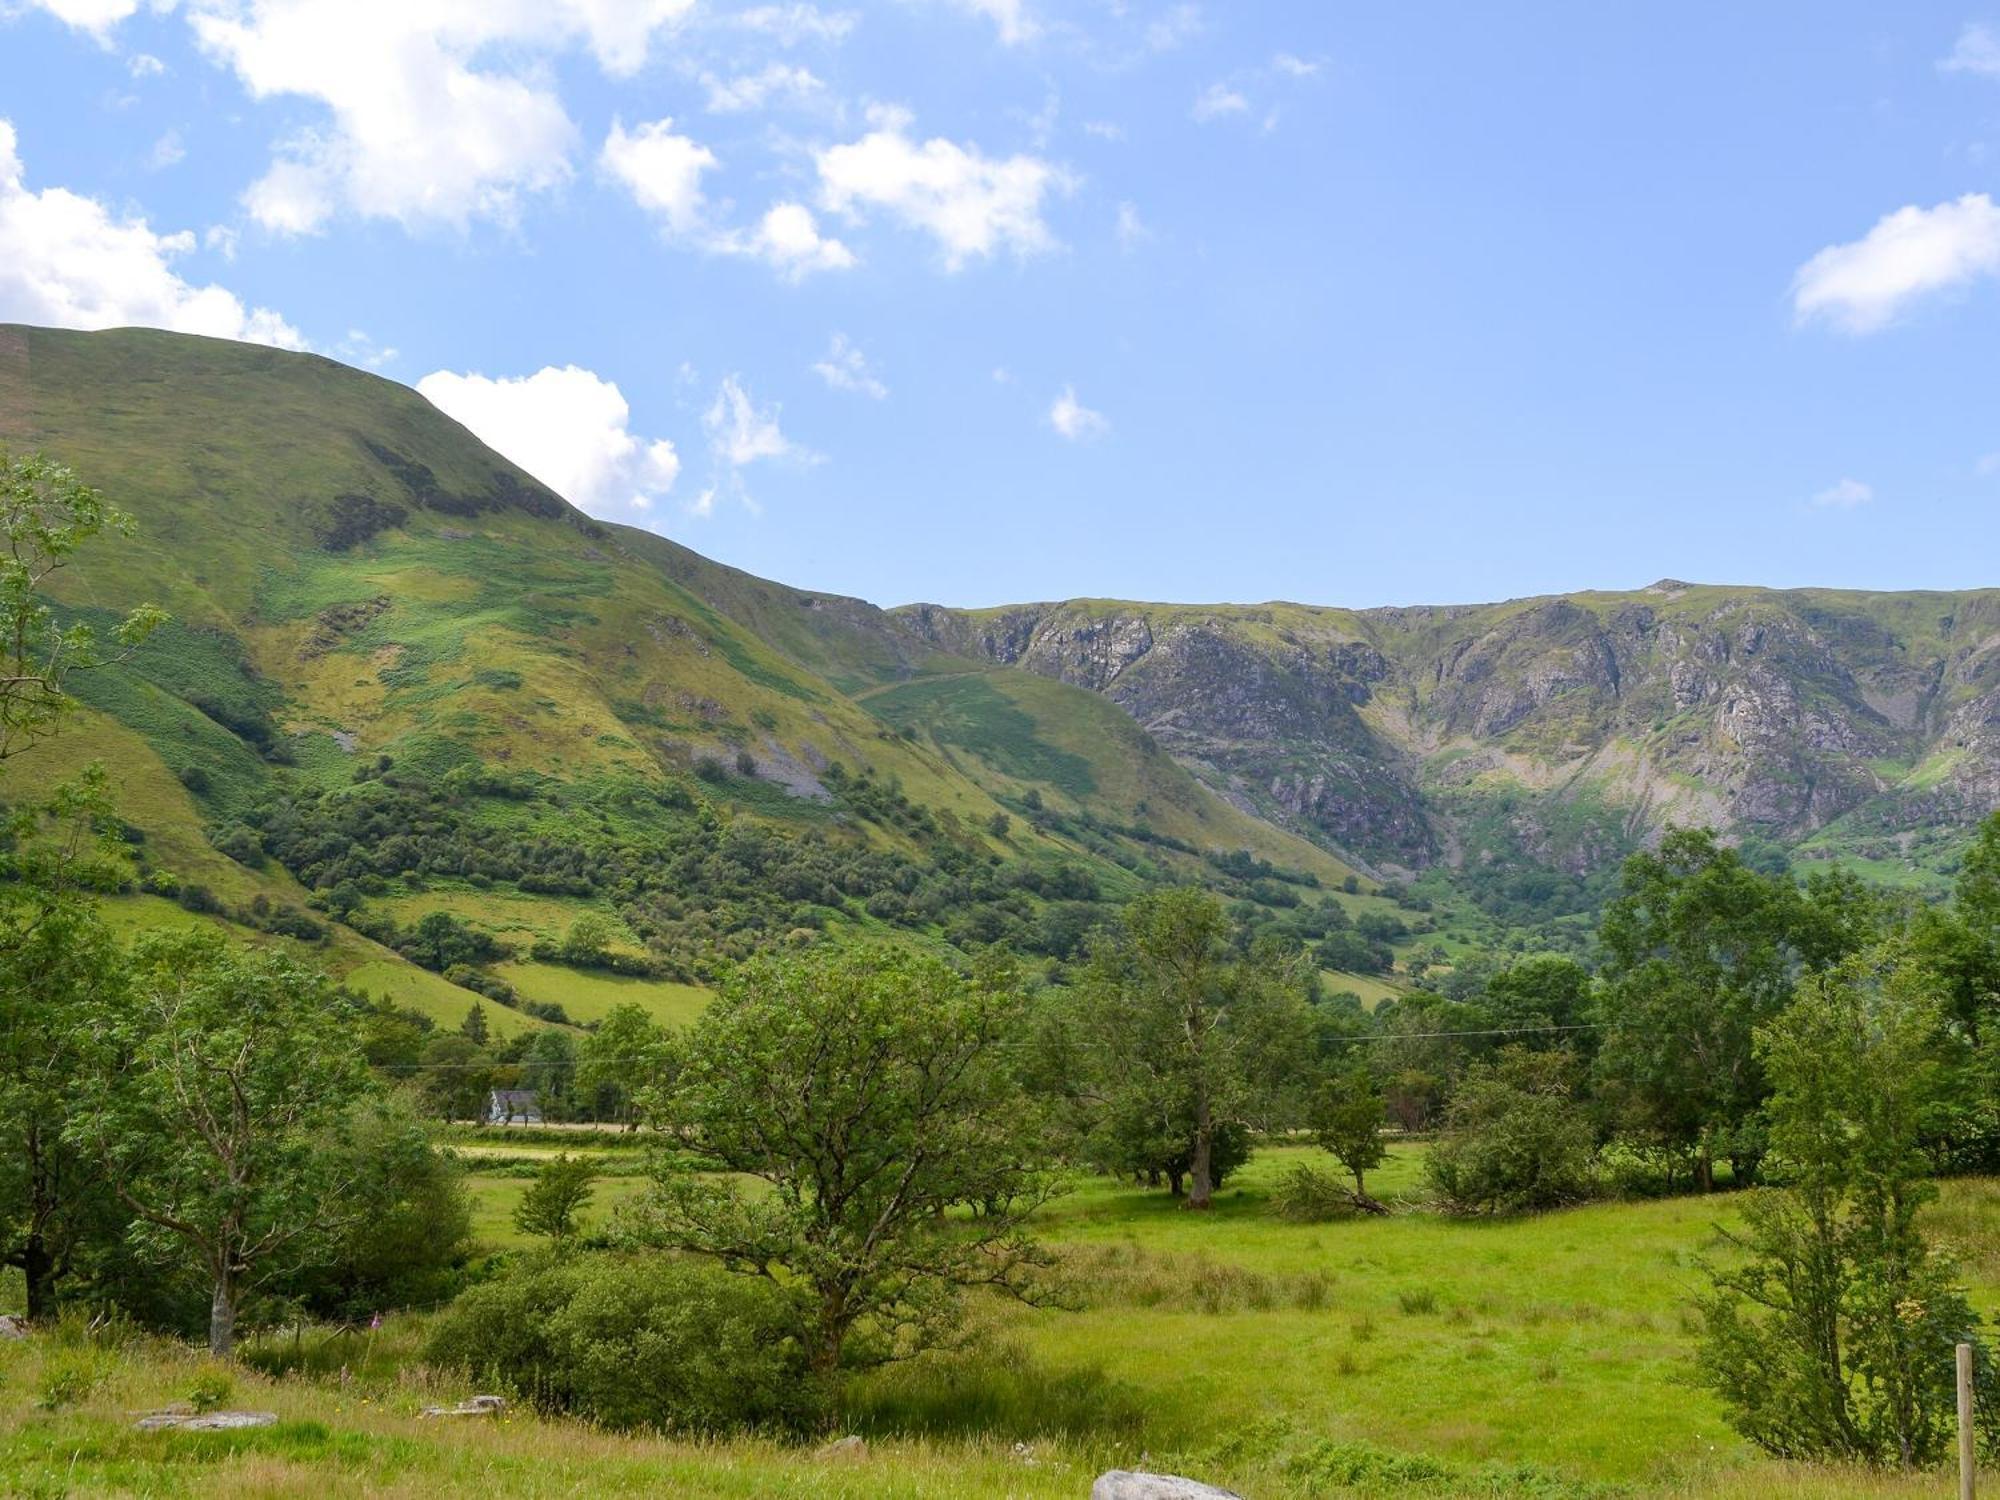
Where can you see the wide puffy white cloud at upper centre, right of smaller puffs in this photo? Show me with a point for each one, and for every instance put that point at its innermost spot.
(971, 205)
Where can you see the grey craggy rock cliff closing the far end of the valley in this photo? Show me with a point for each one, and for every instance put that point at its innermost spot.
(1799, 715)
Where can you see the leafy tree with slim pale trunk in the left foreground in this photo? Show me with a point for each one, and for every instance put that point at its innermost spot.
(229, 1075)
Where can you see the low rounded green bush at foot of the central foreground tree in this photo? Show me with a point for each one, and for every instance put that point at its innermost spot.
(635, 1343)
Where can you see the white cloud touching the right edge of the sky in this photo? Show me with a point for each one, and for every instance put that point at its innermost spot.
(1865, 285)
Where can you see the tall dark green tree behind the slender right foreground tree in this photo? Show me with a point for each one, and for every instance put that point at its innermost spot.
(1699, 953)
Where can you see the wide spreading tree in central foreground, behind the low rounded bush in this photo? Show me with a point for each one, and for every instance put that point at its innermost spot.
(871, 1093)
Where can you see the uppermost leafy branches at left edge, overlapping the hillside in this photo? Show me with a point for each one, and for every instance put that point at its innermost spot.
(47, 515)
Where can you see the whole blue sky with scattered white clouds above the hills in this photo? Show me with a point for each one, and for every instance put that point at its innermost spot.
(997, 301)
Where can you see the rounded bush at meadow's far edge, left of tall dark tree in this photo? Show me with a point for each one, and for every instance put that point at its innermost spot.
(1517, 1139)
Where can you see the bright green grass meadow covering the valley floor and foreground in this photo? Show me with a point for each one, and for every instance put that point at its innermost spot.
(1411, 1355)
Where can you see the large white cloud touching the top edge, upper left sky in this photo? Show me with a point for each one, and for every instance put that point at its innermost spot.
(443, 111)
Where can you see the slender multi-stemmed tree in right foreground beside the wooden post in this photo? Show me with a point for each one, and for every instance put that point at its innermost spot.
(1835, 1335)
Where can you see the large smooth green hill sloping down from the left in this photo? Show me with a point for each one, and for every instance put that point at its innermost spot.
(405, 679)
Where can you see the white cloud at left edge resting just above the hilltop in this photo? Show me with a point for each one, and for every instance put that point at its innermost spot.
(71, 263)
